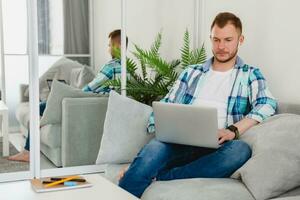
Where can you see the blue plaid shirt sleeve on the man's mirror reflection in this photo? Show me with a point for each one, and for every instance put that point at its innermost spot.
(105, 74)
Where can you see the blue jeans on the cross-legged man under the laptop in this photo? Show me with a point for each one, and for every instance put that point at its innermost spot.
(165, 161)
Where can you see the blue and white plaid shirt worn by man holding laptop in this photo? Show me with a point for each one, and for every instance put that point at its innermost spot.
(249, 97)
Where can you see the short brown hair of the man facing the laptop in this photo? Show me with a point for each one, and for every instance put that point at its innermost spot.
(225, 18)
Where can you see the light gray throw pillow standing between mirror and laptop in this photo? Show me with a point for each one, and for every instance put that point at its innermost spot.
(124, 132)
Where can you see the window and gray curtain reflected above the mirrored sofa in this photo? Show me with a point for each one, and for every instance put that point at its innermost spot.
(63, 27)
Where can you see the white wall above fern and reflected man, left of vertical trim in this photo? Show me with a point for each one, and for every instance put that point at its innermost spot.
(144, 20)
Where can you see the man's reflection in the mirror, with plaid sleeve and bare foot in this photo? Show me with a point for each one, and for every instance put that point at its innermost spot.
(110, 71)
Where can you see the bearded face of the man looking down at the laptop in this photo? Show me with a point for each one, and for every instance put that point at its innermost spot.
(225, 42)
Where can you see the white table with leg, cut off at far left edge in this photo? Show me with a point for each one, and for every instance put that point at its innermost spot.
(4, 131)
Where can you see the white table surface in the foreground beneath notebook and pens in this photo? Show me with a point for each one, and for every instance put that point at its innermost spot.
(101, 189)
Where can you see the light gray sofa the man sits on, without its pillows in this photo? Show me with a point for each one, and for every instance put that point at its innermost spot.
(204, 188)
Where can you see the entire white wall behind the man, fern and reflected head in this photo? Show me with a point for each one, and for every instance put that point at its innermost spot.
(271, 30)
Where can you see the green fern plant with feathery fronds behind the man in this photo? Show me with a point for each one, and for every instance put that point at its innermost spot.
(146, 89)
